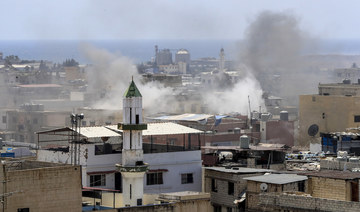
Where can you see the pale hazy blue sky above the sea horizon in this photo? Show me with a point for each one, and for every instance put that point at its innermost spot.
(172, 19)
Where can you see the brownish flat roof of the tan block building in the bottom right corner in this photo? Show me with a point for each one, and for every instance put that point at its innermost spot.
(333, 174)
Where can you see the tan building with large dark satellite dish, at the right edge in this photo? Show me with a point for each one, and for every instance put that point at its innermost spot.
(334, 109)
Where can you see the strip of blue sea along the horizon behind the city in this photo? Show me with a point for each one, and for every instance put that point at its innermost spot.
(143, 50)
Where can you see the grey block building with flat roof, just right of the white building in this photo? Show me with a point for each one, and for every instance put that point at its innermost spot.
(227, 186)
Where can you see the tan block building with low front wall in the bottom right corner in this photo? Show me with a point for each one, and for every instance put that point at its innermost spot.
(326, 191)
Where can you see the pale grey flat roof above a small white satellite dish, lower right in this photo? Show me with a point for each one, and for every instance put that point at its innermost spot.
(277, 178)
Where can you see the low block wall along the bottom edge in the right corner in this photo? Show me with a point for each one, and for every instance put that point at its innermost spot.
(291, 202)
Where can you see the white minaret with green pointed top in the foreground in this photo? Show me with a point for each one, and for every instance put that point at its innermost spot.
(132, 168)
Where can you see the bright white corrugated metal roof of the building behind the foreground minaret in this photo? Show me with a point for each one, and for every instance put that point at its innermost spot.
(165, 128)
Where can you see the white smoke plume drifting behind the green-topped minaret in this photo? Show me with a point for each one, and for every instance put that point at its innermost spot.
(111, 73)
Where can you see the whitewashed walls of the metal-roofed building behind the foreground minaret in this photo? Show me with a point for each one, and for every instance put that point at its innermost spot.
(176, 163)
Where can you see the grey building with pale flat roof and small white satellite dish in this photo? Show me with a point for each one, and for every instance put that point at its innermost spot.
(272, 183)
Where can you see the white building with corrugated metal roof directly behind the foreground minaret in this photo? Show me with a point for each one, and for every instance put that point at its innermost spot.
(178, 170)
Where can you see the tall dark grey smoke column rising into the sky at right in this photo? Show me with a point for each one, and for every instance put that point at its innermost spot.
(273, 49)
